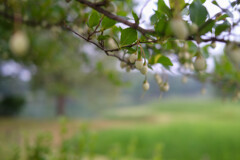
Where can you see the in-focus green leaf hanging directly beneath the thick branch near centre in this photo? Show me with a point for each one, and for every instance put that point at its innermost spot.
(128, 36)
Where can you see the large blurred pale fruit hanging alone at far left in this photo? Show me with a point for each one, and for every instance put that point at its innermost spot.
(19, 43)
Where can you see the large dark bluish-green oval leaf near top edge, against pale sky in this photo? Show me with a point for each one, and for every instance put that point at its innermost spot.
(198, 13)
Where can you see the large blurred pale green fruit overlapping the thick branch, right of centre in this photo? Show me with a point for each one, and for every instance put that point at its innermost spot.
(179, 28)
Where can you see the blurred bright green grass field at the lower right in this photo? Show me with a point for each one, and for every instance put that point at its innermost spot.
(186, 130)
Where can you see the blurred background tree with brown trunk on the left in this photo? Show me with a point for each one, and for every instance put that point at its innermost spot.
(57, 61)
